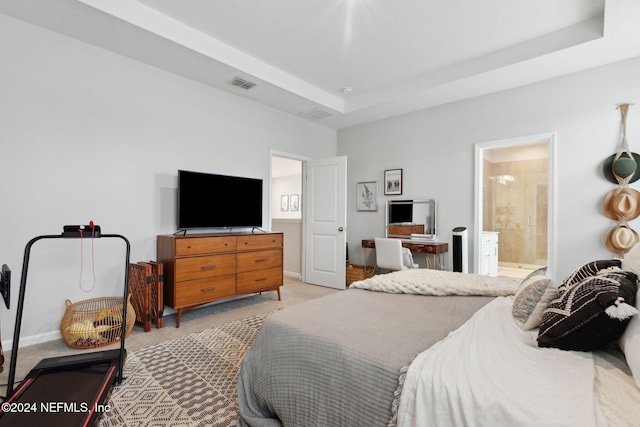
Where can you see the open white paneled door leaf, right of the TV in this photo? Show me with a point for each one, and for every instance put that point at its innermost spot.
(325, 231)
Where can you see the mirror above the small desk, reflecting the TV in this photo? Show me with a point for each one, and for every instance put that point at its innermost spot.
(414, 219)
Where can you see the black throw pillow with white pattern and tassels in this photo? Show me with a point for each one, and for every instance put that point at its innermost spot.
(590, 313)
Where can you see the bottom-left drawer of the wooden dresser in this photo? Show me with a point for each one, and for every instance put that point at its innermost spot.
(201, 291)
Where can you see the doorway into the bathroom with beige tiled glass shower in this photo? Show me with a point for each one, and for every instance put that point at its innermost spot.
(514, 212)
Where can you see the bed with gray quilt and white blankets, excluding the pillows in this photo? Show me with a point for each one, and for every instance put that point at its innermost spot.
(417, 348)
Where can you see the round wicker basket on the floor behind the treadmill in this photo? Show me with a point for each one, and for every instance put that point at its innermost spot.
(95, 322)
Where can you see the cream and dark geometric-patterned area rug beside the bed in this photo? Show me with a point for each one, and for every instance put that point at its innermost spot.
(188, 381)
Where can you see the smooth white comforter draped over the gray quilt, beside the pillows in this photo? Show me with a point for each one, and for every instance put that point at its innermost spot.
(490, 373)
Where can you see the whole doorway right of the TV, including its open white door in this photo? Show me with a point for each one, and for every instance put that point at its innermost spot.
(314, 223)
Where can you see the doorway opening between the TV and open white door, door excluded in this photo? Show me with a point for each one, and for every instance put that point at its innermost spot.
(286, 210)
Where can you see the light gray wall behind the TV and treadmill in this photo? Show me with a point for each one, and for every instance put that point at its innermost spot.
(90, 135)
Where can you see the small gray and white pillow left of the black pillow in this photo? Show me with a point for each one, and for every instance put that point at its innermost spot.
(532, 297)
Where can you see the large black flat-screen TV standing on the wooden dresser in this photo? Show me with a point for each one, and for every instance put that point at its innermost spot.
(208, 201)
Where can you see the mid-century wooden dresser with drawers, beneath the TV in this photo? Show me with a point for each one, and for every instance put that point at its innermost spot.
(201, 268)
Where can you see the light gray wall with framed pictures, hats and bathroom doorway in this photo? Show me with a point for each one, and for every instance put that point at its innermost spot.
(435, 148)
